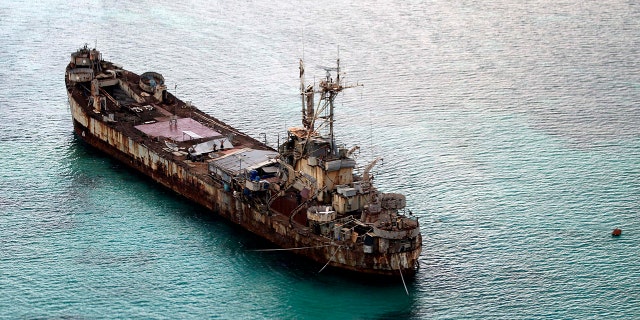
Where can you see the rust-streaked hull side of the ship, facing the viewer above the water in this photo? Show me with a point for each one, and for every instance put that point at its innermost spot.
(275, 228)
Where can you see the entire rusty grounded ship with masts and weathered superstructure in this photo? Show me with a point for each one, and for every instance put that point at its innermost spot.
(308, 196)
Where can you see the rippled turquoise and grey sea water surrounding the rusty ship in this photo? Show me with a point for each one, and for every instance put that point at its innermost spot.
(513, 127)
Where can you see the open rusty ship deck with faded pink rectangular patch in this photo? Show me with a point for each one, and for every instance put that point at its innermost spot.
(152, 123)
